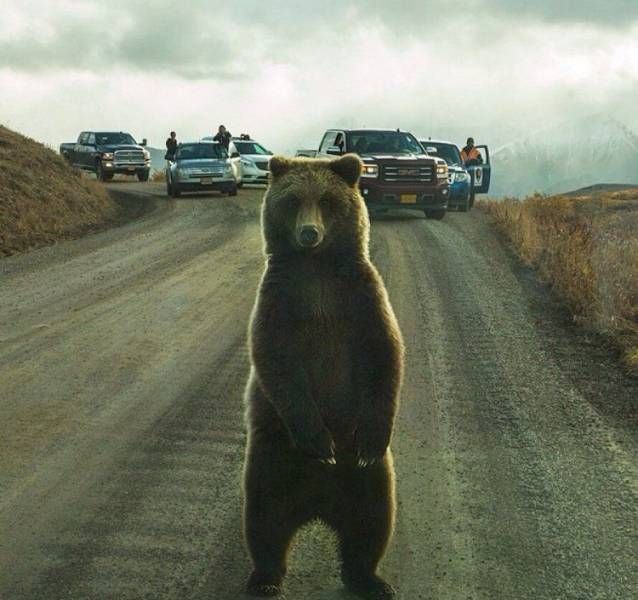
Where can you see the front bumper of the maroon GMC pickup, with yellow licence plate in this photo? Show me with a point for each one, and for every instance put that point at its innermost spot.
(386, 197)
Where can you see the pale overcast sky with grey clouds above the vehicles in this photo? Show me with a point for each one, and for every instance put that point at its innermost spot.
(284, 71)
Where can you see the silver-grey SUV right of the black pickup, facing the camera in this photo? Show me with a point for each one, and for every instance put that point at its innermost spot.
(200, 167)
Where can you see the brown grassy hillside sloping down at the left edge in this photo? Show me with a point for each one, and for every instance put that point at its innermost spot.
(42, 199)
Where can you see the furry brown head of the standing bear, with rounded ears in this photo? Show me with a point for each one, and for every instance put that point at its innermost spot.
(314, 207)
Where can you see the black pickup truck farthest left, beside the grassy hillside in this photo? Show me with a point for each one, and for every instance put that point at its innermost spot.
(108, 152)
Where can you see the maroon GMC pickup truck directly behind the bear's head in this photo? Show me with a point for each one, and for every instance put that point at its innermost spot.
(397, 173)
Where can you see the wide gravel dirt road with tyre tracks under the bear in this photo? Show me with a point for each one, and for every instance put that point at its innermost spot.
(122, 362)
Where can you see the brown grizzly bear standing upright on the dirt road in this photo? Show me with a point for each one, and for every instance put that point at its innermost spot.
(327, 362)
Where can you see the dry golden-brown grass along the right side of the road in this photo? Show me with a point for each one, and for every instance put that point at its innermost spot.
(586, 248)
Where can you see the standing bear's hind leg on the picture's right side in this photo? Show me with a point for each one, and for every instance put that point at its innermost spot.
(364, 520)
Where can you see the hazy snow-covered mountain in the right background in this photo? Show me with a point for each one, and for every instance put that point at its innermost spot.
(566, 156)
